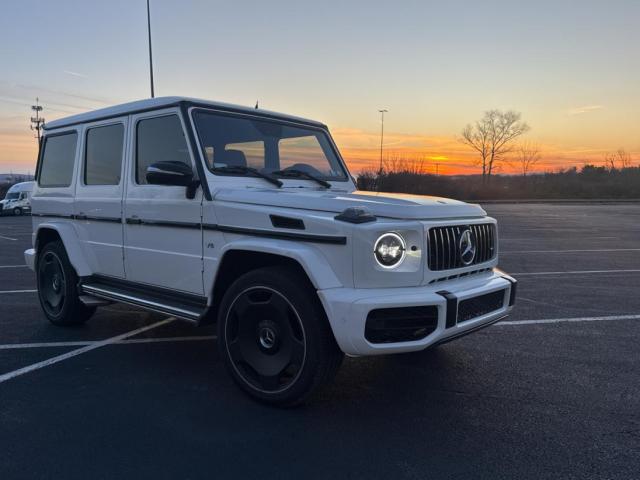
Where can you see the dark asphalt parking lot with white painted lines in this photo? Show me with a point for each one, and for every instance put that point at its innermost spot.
(552, 392)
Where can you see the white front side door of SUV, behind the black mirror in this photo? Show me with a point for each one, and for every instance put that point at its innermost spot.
(163, 229)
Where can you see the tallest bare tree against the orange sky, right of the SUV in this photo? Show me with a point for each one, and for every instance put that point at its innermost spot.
(492, 137)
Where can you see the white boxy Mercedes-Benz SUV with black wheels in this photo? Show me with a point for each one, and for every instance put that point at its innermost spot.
(213, 212)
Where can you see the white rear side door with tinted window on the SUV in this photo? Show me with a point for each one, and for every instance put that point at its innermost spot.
(99, 192)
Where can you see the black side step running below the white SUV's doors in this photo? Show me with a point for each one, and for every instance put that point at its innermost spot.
(182, 305)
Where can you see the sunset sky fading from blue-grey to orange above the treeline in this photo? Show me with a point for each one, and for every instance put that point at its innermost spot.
(571, 67)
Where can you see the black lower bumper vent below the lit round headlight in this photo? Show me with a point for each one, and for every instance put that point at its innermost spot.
(404, 324)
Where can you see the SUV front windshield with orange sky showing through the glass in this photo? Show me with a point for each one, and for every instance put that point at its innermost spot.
(266, 145)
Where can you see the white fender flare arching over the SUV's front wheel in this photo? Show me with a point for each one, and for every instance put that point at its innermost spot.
(311, 259)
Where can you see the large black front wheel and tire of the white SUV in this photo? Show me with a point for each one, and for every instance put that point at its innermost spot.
(274, 337)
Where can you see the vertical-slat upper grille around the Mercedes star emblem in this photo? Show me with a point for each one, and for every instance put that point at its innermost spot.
(443, 245)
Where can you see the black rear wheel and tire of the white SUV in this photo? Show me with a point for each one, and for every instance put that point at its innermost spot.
(58, 287)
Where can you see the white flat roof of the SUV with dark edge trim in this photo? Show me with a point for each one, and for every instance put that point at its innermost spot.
(164, 102)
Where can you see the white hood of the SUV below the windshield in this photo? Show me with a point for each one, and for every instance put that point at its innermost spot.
(388, 205)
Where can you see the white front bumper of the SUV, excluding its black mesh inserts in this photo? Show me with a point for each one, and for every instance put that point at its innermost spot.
(348, 308)
